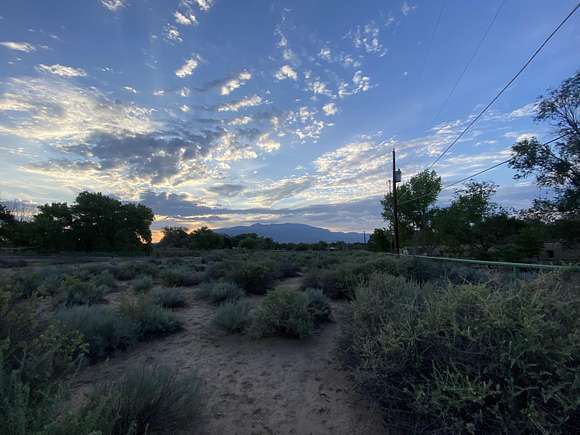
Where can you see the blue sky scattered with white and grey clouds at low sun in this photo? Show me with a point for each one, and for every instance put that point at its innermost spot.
(220, 113)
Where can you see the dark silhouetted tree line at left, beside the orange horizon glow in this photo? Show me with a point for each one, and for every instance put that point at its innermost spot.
(94, 222)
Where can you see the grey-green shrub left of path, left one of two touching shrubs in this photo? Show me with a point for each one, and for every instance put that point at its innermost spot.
(103, 328)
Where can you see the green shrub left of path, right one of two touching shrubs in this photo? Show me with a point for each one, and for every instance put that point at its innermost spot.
(151, 319)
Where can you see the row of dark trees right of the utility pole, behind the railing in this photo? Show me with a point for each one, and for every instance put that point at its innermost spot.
(473, 224)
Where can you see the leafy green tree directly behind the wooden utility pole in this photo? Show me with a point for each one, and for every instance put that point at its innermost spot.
(416, 198)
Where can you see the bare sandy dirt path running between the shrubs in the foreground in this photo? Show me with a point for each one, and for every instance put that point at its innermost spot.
(268, 386)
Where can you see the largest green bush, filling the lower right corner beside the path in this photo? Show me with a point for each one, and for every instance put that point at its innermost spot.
(469, 358)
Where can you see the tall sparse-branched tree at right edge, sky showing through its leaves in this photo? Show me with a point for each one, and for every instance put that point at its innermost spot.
(555, 165)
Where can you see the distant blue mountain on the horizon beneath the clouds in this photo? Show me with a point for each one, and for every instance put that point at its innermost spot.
(293, 233)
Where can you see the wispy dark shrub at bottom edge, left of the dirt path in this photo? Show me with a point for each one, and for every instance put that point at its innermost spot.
(145, 400)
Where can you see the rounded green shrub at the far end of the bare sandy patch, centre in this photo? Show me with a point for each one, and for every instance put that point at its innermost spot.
(283, 312)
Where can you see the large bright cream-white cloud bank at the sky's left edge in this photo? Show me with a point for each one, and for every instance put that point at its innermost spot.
(52, 109)
